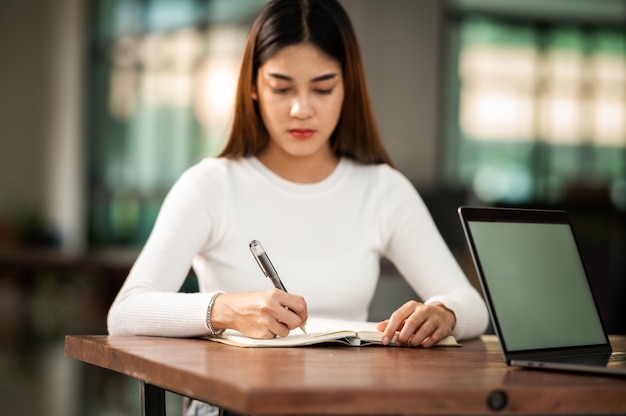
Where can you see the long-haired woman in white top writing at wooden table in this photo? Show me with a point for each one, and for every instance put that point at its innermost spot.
(305, 172)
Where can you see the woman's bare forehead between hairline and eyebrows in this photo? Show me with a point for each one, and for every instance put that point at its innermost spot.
(301, 62)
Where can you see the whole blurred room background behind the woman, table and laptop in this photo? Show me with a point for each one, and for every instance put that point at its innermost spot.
(104, 103)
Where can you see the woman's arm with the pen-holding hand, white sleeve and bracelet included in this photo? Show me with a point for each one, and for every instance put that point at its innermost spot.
(149, 303)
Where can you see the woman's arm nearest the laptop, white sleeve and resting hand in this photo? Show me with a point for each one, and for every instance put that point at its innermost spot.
(451, 305)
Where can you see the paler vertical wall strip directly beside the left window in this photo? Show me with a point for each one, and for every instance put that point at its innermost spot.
(65, 171)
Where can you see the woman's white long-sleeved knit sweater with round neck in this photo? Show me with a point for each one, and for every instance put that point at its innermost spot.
(325, 240)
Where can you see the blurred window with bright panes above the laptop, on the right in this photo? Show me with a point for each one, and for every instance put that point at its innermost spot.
(537, 108)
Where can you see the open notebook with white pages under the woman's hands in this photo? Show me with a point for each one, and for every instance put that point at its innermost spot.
(319, 331)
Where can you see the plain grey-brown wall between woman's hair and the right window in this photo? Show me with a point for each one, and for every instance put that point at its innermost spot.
(401, 46)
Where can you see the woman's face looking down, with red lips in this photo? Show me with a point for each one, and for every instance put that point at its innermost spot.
(300, 93)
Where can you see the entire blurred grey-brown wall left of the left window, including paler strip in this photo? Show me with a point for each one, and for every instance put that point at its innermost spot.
(41, 113)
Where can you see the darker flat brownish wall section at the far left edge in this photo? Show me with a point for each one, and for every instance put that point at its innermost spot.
(23, 97)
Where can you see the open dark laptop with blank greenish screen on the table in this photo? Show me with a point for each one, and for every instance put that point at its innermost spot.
(537, 291)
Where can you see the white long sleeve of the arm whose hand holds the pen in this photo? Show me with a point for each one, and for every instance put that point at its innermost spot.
(149, 302)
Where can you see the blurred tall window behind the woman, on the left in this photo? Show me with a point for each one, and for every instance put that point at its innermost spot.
(162, 75)
